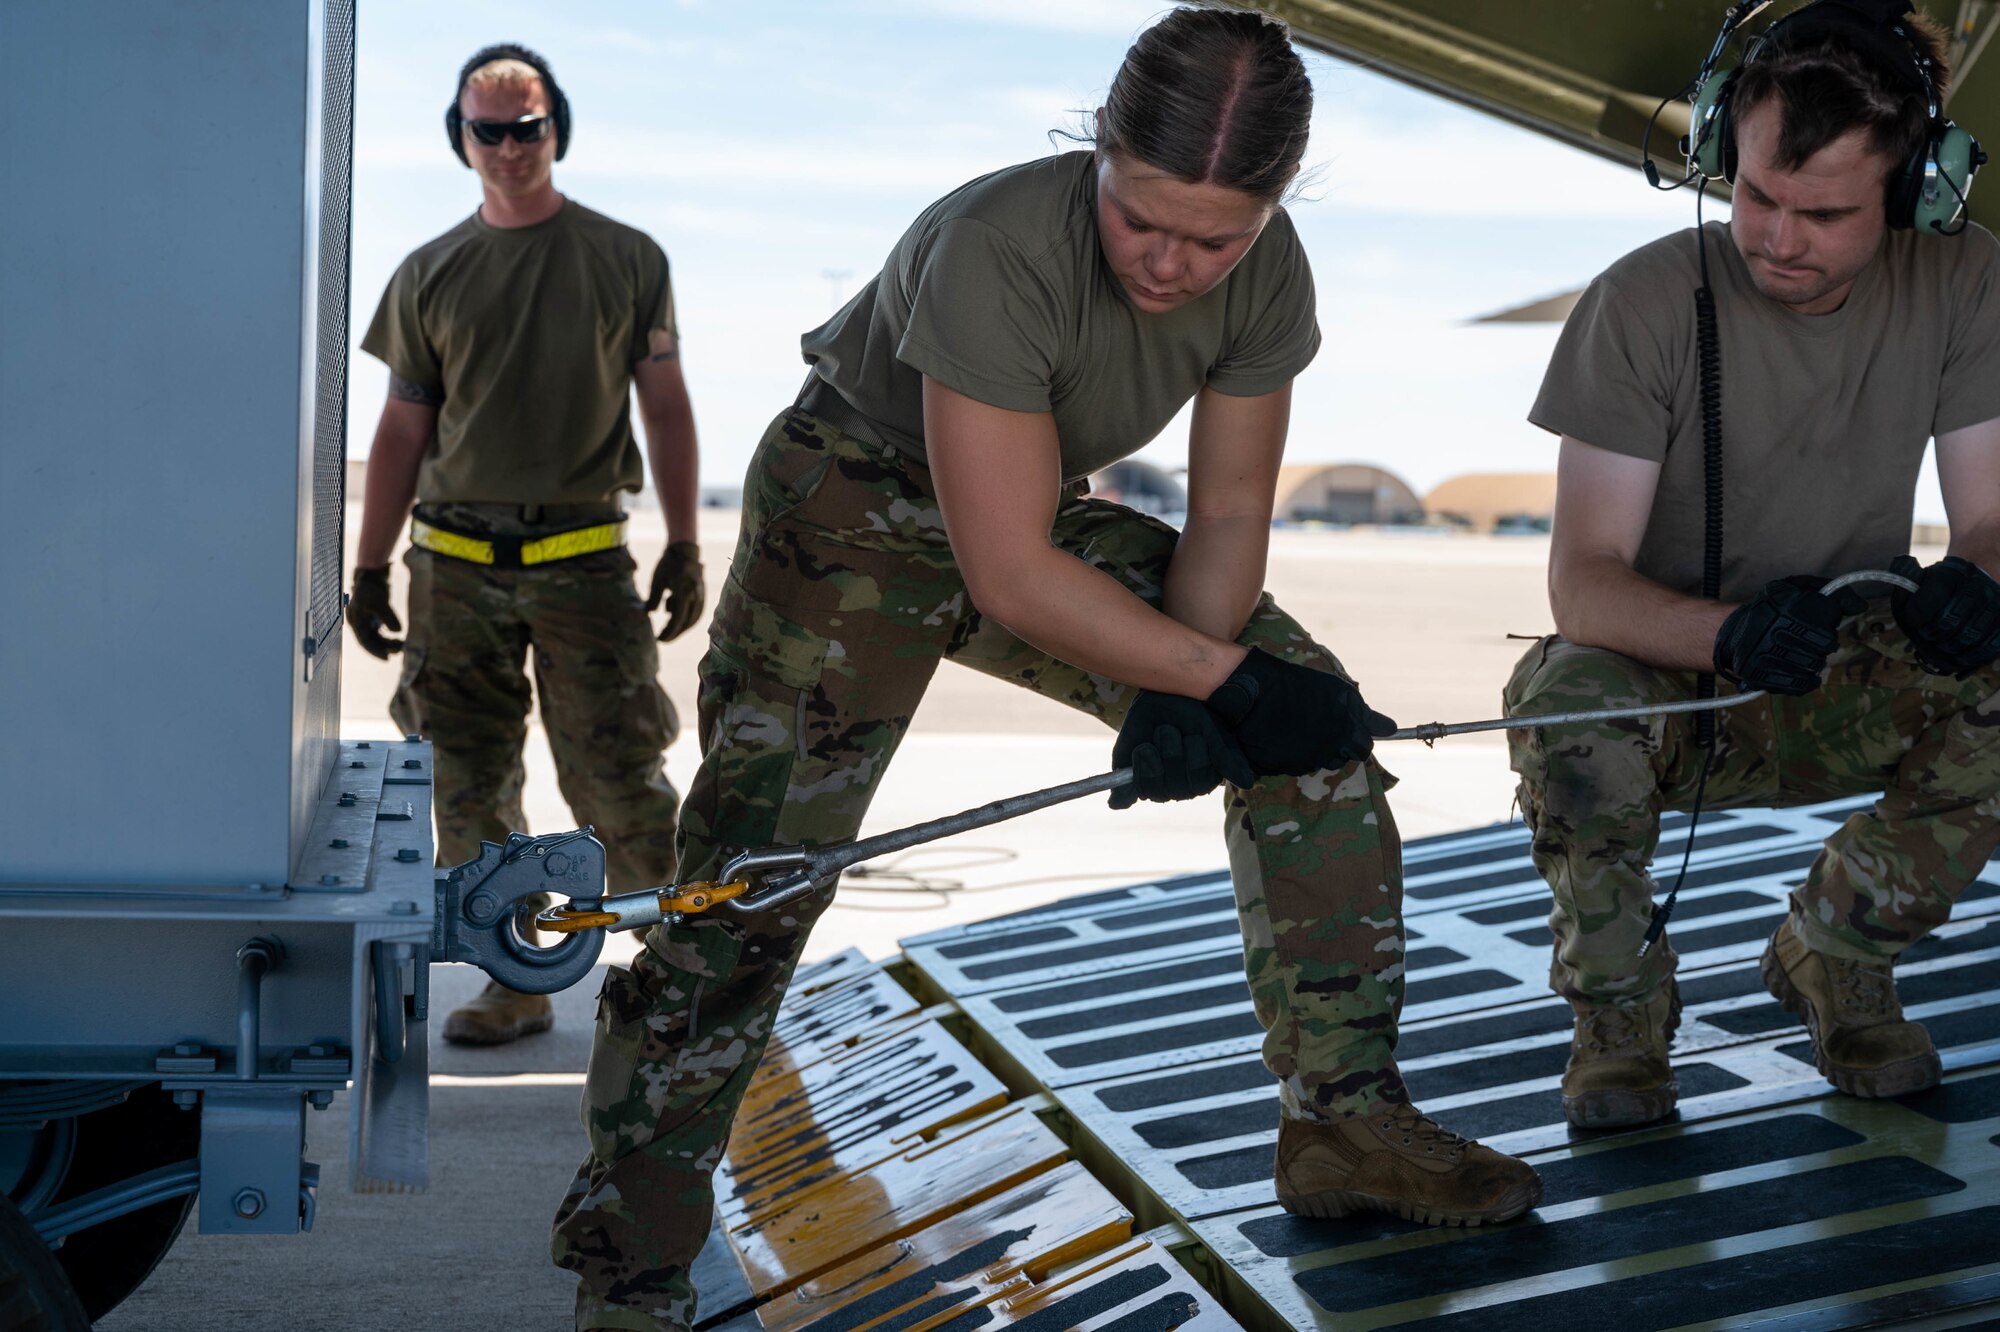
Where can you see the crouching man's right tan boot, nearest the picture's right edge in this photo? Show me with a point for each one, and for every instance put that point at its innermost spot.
(1861, 1039)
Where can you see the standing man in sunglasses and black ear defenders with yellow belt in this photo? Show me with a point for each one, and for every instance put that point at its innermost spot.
(513, 345)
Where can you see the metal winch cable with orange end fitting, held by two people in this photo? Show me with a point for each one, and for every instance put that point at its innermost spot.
(791, 873)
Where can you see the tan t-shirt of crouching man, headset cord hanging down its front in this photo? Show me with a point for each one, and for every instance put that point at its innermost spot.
(1825, 419)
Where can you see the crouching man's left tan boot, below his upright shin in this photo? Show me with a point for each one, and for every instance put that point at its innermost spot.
(1619, 1071)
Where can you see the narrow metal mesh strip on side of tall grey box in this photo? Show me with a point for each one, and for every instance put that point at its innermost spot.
(331, 393)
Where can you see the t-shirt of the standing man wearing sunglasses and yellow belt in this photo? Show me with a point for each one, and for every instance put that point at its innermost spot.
(531, 335)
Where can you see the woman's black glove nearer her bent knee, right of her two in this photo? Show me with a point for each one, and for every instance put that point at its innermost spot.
(1295, 719)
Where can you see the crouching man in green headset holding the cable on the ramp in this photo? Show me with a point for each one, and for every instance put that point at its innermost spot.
(1855, 319)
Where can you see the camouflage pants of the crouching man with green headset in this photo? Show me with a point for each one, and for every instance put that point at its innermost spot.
(1881, 723)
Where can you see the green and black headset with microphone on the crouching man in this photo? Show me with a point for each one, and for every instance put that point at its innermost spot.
(1929, 189)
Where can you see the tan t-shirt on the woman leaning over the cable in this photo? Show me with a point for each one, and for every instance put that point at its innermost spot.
(999, 291)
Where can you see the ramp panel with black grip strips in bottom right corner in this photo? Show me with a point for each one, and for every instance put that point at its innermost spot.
(1747, 1217)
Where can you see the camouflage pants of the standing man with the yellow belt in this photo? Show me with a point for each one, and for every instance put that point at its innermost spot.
(597, 667)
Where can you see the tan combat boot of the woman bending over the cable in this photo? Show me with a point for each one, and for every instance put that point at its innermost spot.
(1397, 1161)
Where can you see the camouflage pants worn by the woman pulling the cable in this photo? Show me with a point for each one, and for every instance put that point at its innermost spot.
(841, 603)
